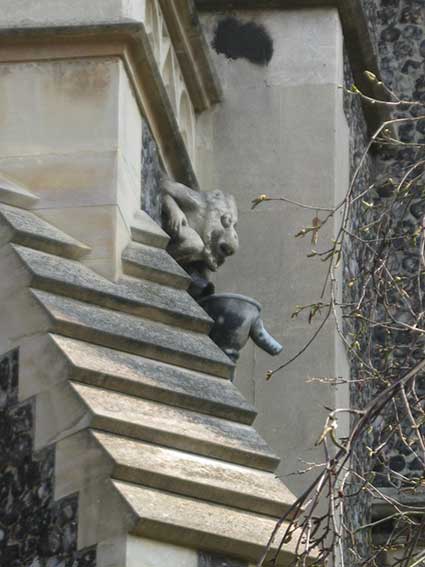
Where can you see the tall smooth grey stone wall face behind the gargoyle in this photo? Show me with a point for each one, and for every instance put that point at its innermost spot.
(267, 112)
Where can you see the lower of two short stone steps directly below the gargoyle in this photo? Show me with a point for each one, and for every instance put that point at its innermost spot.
(147, 262)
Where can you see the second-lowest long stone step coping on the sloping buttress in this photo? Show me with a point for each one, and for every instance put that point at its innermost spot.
(198, 477)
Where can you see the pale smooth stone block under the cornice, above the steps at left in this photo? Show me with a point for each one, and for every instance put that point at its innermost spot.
(84, 151)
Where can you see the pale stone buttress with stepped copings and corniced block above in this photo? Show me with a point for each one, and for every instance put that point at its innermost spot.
(136, 400)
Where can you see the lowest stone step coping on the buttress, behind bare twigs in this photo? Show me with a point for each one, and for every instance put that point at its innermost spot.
(202, 525)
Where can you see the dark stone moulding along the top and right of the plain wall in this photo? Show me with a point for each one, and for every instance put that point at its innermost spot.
(358, 43)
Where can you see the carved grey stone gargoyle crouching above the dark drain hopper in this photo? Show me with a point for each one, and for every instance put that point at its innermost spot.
(202, 225)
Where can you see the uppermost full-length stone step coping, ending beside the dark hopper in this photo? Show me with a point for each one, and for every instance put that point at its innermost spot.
(144, 299)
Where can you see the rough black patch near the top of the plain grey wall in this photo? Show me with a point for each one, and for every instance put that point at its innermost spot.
(243, 40)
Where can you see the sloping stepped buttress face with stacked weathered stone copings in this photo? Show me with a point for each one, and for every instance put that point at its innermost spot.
(132, 396)
